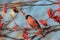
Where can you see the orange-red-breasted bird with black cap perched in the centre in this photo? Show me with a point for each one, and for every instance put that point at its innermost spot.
(32, 22)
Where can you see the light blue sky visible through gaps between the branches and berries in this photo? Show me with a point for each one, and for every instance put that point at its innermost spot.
(38, 12)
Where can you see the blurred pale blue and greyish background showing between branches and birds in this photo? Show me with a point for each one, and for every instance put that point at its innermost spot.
(38, 12)
